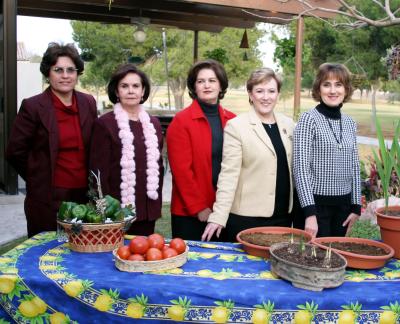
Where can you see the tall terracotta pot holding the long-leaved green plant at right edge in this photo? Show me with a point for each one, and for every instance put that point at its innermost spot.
(390, 228)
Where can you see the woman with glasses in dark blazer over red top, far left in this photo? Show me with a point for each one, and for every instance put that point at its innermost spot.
(49, 141)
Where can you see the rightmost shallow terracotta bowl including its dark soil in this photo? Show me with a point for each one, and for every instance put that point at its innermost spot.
(360, 253)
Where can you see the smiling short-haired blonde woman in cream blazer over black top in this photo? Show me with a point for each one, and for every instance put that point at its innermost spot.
(255, 186)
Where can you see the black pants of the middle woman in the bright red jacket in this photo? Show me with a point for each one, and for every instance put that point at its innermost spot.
(189, 228)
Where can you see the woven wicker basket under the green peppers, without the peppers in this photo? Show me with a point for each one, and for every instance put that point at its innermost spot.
(94, 237)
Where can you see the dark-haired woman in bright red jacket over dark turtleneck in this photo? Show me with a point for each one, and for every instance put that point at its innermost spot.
(194, 142)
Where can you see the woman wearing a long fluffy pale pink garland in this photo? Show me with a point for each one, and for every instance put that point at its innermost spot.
(126, 146)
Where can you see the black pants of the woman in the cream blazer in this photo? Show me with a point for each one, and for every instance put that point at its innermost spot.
(237, 223)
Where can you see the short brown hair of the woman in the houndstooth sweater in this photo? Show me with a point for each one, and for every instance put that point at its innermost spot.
(337, 70)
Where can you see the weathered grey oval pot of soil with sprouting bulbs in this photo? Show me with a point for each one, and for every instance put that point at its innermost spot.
(307, 266)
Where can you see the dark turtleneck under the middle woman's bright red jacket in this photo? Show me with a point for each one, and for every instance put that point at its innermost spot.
(212, 114)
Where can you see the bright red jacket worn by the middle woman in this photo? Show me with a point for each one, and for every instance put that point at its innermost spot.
(189, 154)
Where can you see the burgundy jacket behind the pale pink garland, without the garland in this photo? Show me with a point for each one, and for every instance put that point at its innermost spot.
(105, 155)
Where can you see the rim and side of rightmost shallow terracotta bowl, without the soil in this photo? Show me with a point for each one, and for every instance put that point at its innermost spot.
(354, 260)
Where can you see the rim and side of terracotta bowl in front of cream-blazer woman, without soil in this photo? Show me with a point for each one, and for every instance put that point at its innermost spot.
(263, 251)
